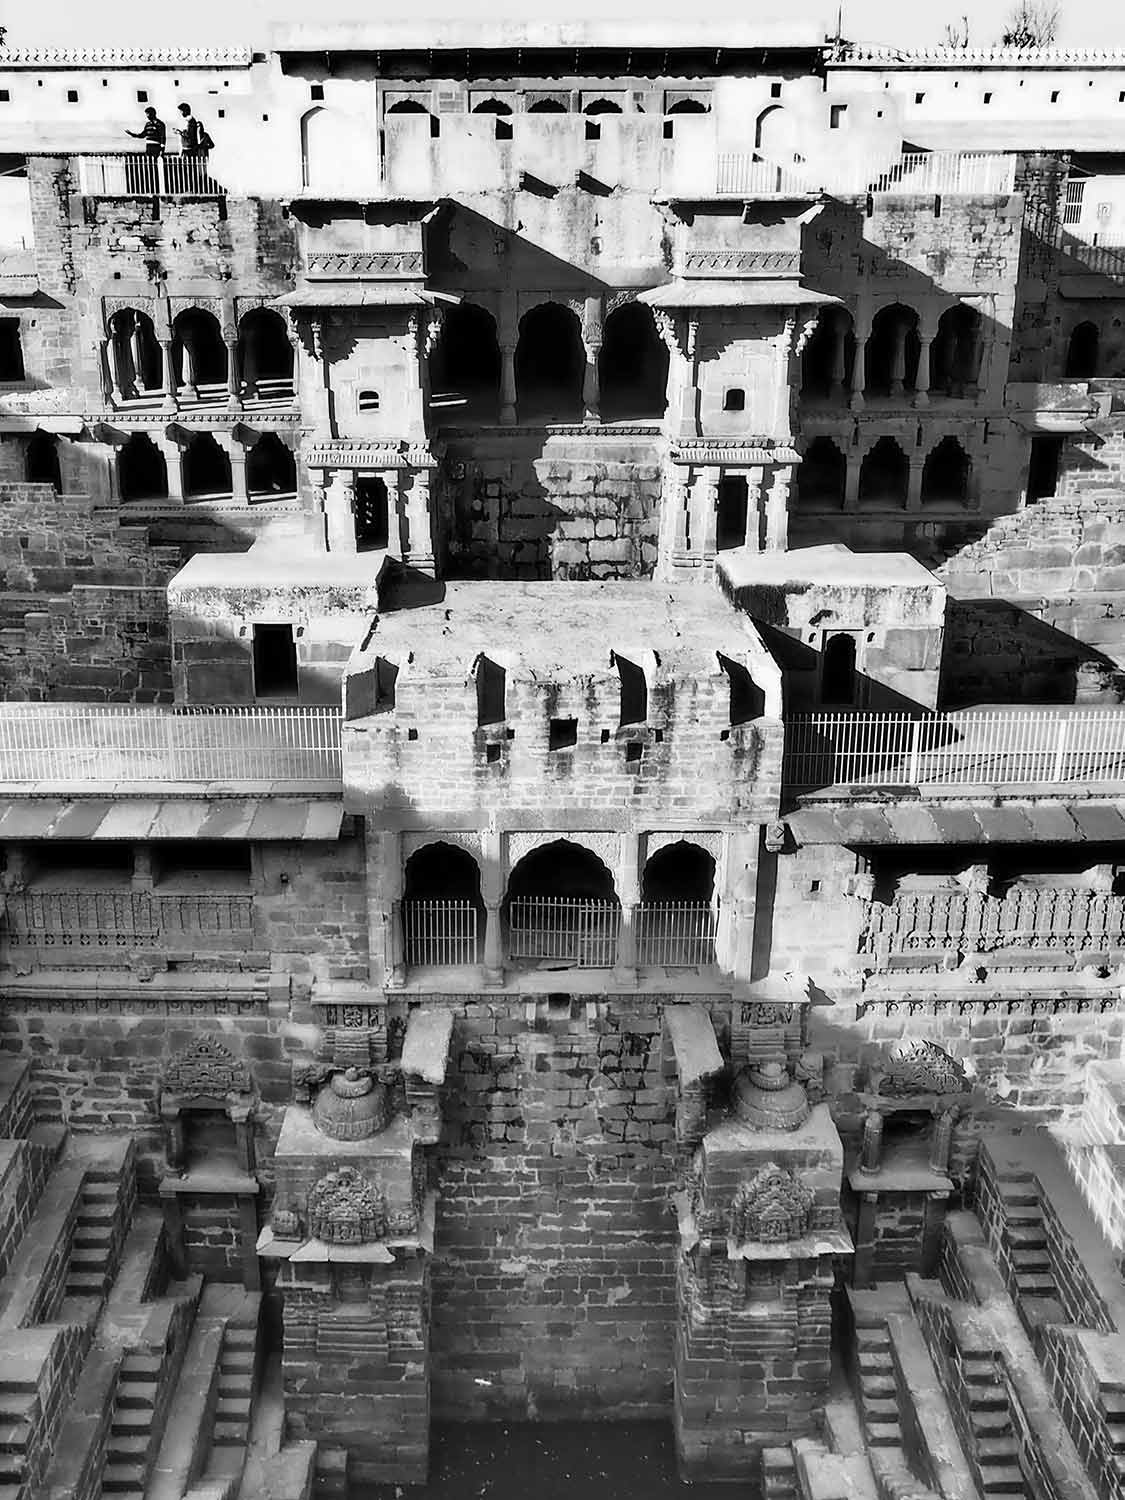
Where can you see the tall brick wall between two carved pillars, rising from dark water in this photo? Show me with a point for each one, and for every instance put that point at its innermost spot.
(556, 1237)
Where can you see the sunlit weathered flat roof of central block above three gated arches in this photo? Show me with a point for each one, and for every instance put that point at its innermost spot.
(562, 629)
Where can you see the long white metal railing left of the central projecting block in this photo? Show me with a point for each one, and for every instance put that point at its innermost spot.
(103, 745)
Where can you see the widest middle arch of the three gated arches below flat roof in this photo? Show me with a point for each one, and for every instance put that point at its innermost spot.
(562, 910)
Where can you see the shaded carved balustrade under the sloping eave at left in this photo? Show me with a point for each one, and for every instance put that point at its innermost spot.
(121, 920)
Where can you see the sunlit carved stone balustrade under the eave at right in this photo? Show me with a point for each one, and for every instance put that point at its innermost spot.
(926, 925)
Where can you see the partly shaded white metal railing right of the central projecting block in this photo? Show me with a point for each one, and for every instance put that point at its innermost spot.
(977, 748)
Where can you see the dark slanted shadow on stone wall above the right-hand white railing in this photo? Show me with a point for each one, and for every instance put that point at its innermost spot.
(998, 653)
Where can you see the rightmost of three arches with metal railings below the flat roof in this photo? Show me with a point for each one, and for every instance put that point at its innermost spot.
(677, 914)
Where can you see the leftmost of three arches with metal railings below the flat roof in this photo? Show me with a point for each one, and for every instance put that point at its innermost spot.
(443, 913)
